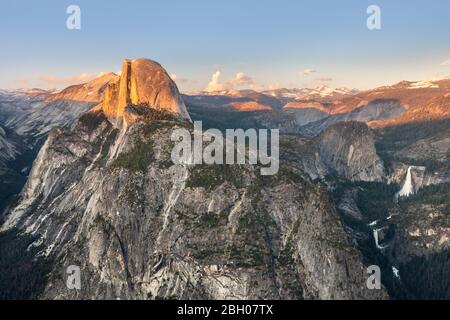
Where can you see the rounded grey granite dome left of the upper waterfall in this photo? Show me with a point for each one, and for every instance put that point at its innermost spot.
(348, 149)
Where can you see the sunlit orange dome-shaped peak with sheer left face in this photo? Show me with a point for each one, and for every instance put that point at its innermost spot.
(143, 82)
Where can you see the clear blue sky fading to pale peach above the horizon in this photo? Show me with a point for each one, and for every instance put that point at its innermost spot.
(268, 43)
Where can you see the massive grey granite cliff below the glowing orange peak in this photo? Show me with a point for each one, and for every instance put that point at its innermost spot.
(109, 200)
